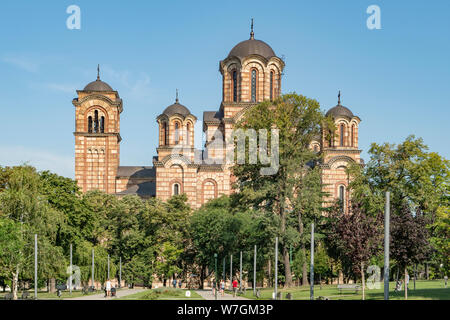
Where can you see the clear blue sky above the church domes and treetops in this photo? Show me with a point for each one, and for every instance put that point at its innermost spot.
(397, 79)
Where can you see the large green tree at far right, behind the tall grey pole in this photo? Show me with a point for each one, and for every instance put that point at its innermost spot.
(417, 179)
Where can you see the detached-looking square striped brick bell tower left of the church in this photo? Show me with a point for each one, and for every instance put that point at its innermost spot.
(97, 136)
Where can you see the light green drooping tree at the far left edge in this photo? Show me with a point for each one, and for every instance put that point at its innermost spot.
(22, 202)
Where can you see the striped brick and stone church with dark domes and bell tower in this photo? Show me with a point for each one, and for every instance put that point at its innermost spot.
(251, 73)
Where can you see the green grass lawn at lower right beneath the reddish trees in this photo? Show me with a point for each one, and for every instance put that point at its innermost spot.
(425, 290)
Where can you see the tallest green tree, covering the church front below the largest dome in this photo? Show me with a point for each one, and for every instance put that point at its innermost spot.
(299, 121)
